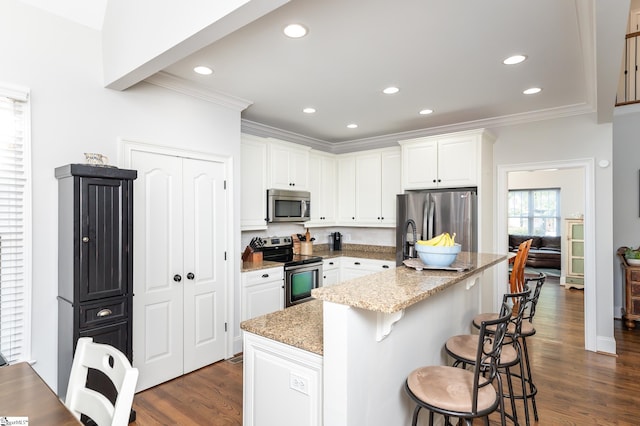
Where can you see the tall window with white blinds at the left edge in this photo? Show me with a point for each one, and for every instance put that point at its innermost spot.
(15, 224)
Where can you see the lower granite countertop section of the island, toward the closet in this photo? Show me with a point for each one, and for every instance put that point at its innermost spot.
(299, 326)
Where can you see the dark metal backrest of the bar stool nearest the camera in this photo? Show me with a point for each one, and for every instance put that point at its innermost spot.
(491, 340)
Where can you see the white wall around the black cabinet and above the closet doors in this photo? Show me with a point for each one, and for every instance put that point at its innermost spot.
(72, 113)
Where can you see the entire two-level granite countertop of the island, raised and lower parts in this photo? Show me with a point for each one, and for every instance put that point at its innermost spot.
(389, 291)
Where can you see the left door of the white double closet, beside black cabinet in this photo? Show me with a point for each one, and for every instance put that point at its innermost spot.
(158, 256)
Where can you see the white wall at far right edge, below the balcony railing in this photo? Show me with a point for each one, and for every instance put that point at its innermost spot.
(626, 189)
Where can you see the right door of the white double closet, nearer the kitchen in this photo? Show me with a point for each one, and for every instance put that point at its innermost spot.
(204, 257)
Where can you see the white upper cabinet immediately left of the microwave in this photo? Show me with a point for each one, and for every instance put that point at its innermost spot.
(253, 183)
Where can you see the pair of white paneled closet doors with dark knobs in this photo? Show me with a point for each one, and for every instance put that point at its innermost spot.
(179, 266)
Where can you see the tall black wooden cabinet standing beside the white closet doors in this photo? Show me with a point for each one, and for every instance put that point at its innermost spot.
(95, 263)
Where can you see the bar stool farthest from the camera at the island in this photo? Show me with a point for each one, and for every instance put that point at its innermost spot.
(527, 330)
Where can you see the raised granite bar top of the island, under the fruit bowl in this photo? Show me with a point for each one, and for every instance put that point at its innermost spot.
(396, 289)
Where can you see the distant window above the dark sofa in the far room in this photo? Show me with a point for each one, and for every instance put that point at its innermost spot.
(534, 212)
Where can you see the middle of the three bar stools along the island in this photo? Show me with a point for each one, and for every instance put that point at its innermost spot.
(462, 348)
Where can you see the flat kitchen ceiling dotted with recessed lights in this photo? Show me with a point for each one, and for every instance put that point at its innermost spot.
(443, 55)
